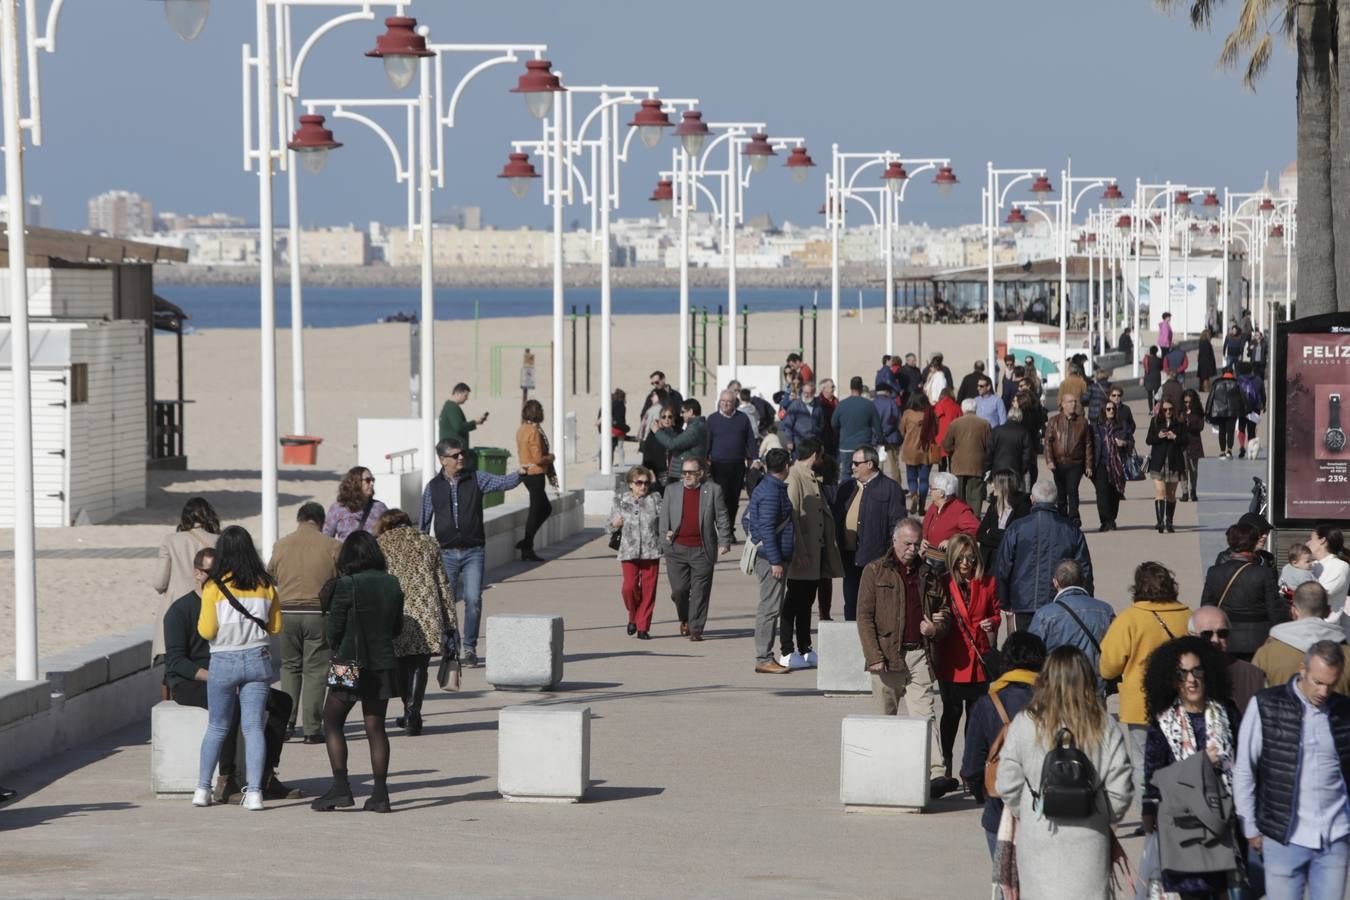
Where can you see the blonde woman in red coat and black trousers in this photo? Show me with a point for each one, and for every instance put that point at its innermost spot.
(958, 667)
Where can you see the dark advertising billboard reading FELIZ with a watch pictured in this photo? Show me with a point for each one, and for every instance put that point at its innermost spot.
(1312, 457)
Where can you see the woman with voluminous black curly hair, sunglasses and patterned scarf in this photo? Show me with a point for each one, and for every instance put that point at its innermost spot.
(1187, 694)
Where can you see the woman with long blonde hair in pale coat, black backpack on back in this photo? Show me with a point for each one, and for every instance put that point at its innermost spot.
(1066, 709)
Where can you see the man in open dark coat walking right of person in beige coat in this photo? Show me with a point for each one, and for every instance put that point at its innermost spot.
(867, 508)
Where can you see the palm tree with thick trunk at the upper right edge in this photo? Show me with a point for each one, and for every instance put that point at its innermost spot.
(1324, 275)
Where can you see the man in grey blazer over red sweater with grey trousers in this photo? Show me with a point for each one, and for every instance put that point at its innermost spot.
(697, 532)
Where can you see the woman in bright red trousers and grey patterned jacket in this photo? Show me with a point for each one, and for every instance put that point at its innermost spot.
(635, 516)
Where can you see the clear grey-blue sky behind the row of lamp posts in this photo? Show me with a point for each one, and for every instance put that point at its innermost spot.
(1125, 90)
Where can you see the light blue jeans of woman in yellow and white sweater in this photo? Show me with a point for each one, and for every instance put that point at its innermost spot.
(237, 681)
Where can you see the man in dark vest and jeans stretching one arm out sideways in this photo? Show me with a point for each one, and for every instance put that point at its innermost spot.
(453, 513)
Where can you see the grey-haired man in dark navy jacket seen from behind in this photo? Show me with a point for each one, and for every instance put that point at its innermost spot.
(1032, 547)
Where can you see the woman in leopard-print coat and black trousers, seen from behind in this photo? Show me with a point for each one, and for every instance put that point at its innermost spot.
(429, 608)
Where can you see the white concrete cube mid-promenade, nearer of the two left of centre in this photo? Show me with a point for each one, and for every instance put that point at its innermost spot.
(543, 754)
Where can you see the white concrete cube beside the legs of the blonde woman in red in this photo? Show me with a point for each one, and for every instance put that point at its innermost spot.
(885, 763)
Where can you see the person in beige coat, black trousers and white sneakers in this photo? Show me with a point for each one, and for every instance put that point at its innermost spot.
(816, 555)
